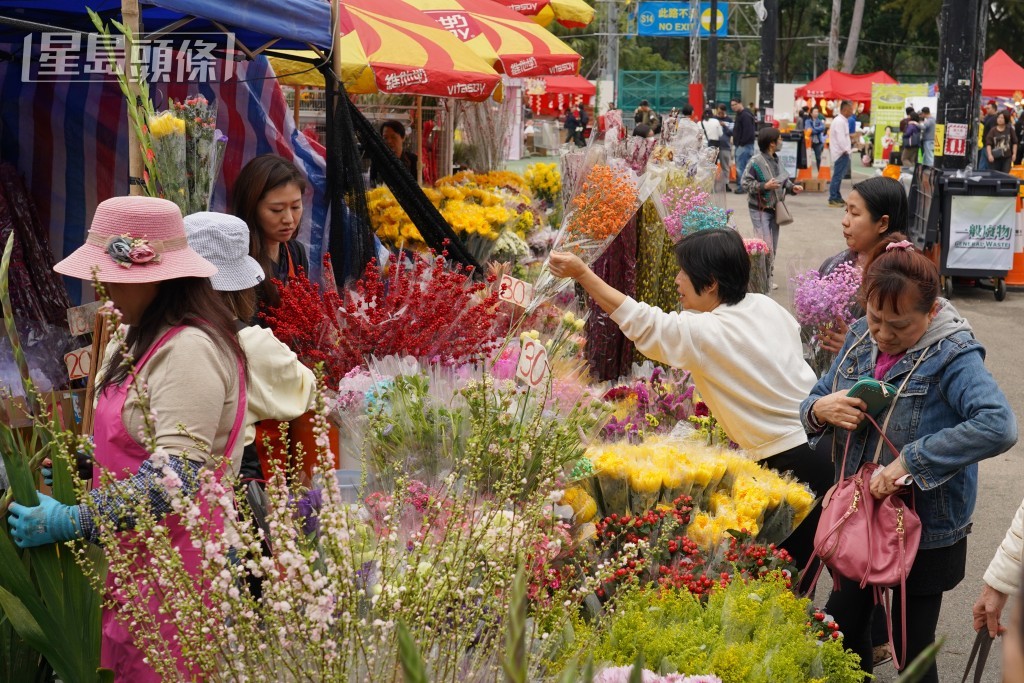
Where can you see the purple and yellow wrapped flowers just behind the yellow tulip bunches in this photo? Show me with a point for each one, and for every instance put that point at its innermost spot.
(650, 406)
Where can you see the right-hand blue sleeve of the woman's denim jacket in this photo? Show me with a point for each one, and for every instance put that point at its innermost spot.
(987, 430)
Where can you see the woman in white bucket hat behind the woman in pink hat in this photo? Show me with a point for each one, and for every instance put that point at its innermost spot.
(280, 388)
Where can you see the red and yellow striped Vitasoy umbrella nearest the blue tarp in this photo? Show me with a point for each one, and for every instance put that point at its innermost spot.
(392, 48)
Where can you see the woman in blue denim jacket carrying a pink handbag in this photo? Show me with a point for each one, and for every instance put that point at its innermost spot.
(950, 415)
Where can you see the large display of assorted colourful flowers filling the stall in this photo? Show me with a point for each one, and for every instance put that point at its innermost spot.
(503, 515)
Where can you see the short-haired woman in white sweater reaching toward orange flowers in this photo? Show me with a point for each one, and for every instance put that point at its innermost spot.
(744, 352)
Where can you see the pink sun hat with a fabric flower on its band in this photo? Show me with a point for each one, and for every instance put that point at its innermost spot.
(137, 240)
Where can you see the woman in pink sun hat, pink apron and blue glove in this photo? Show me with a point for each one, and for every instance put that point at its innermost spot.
(186, 354)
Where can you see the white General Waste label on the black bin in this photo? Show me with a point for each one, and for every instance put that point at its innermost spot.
(982, 234)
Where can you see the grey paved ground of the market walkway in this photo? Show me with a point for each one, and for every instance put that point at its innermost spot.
(816, 235)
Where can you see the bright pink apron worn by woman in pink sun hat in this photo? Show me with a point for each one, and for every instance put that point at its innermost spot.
(118, 453)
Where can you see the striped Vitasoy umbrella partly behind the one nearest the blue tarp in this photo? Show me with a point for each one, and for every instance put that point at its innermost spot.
(507, 40)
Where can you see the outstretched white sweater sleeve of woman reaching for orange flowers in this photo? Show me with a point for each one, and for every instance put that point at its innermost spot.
(669, 338)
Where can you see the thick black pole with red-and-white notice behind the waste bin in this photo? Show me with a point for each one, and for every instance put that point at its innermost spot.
(963, 51)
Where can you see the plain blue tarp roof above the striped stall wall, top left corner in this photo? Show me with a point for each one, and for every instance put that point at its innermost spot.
(294, 24)
